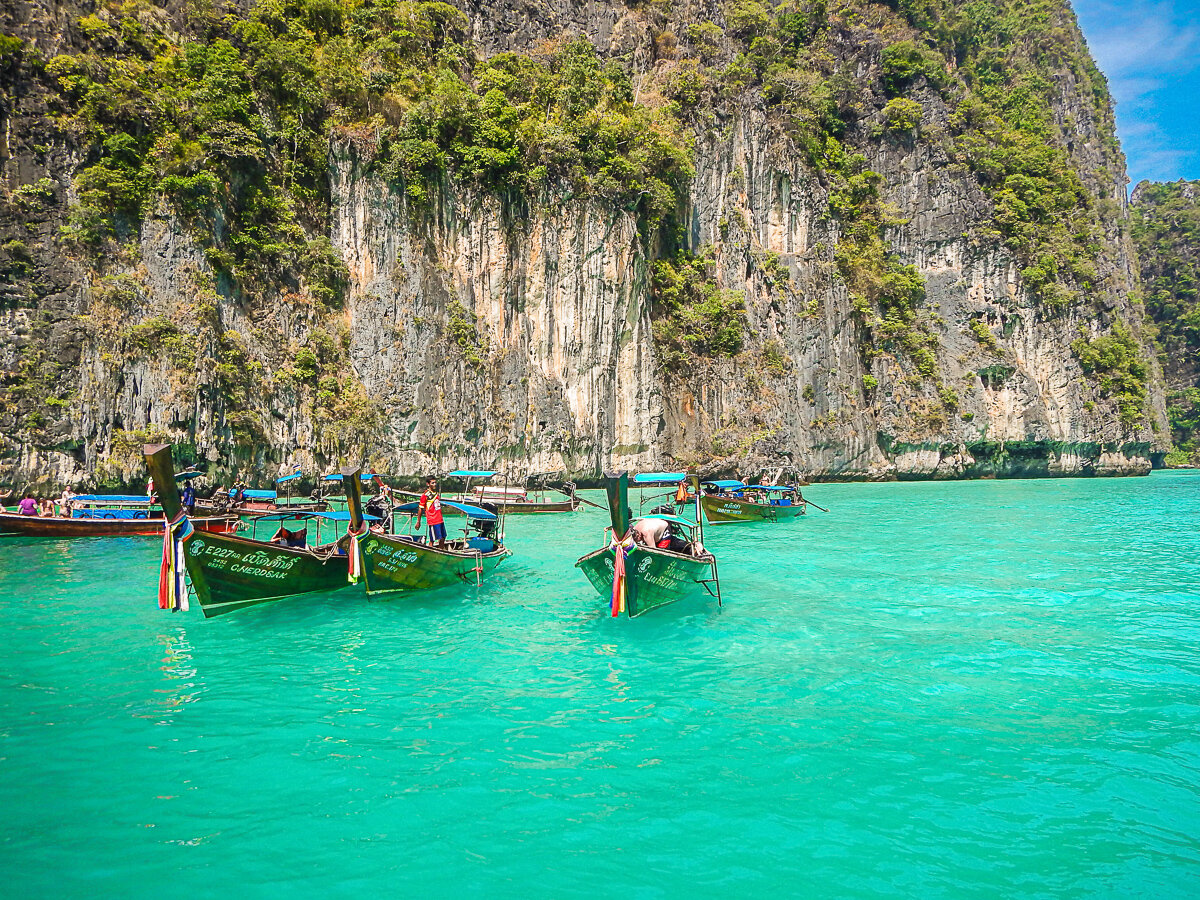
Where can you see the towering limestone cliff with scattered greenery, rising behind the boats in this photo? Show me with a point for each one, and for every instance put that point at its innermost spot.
(472, 322)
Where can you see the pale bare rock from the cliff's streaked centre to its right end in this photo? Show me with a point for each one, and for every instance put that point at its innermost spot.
(520, 335)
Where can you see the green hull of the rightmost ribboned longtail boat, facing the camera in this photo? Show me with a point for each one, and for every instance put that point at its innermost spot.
(653, 578)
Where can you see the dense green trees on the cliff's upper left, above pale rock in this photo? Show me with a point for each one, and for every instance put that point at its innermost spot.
(235, 131)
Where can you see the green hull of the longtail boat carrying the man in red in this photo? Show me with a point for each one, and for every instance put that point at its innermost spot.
(392, 563)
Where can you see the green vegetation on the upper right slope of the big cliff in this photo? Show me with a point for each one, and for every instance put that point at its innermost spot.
(998, 65)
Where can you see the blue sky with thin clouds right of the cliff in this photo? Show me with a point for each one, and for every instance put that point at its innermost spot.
(1150, 52)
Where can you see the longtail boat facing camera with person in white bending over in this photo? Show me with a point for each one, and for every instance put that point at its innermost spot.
(638, 578)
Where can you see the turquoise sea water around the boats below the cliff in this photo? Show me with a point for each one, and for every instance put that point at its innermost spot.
(938, 691)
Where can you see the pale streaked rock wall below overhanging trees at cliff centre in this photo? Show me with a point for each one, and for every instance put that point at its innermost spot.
(554, 365)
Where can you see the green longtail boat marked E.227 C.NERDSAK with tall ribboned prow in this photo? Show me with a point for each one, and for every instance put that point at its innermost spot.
(231, 573)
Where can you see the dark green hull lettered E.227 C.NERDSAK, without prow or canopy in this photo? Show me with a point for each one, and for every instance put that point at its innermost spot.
(231, 573)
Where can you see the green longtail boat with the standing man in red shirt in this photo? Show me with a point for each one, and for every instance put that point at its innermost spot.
(412, 562)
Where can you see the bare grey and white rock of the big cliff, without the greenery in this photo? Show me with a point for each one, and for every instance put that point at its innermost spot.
(518, 331)
